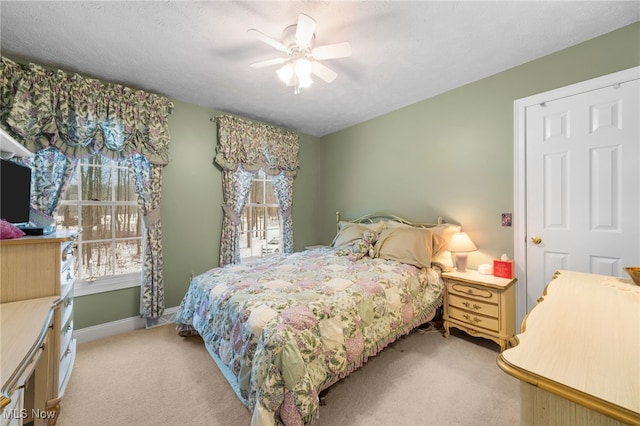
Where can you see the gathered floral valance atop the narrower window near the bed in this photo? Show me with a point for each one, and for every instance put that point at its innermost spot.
(256, 146)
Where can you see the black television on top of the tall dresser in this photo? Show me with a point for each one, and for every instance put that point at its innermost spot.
(15, 192)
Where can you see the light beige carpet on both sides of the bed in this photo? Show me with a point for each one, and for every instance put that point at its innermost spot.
(155, 377)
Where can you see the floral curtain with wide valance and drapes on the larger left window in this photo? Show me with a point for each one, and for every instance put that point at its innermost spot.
(63, 117)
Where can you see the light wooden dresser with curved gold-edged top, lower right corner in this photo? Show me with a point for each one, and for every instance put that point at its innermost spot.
(578, 356)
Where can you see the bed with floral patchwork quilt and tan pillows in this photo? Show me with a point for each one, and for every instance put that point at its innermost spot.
(286, 327)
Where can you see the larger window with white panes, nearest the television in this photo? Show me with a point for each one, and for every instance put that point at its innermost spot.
(101, 202)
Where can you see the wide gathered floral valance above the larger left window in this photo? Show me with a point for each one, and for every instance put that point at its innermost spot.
(81, 116)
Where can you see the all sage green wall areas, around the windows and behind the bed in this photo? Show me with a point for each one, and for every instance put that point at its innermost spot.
(450, 155)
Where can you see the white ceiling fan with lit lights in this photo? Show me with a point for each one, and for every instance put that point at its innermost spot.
(302, 57)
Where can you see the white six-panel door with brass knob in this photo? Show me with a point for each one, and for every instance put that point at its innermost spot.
(582, 186)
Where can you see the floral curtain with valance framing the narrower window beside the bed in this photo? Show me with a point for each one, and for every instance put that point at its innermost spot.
(244, 147)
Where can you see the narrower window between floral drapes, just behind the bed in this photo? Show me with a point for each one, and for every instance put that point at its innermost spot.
(260, 225)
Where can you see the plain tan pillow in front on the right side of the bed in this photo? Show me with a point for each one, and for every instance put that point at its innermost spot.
(413, 246)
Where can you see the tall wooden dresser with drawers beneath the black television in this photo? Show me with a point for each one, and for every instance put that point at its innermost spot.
(40, 266)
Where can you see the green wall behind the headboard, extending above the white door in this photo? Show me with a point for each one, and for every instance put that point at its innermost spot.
(452, 155)
